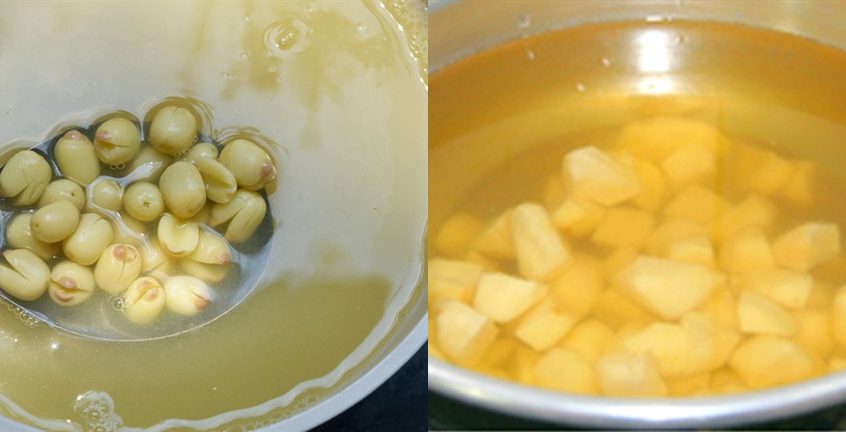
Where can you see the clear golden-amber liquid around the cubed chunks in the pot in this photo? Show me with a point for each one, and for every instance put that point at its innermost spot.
(502, 120)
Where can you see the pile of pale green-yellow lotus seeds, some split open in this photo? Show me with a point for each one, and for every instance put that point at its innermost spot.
(79, 230)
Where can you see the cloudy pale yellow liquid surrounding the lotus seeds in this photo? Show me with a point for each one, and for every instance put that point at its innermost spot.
(318, 79)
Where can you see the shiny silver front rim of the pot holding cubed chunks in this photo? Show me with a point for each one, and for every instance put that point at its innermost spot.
(607, 412)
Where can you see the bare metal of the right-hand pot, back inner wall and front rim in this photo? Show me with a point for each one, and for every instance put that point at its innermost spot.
(460, 28)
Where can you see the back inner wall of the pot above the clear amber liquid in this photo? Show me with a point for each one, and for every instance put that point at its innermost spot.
(460, 28)
